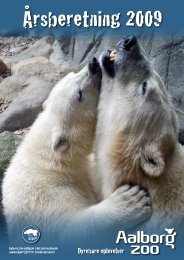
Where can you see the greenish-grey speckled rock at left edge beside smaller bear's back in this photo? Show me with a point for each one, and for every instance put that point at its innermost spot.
(8, 145)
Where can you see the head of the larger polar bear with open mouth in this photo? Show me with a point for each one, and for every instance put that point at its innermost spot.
(144, 120)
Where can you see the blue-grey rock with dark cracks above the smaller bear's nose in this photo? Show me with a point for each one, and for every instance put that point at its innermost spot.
(68, 51)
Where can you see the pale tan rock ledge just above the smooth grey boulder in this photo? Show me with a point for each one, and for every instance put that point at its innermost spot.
(12, 86)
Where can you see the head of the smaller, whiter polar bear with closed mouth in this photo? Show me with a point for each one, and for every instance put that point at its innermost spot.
(72, 109)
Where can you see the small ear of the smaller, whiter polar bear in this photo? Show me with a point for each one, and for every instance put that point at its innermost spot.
(59, 143)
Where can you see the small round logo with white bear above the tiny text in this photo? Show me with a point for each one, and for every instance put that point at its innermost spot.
(31, 234)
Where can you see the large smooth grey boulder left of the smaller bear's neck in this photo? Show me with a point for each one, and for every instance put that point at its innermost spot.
(24, 109)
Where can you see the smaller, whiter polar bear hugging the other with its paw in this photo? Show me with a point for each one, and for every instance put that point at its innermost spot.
(48, 181)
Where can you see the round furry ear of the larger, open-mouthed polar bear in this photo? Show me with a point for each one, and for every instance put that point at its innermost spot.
(152, 161)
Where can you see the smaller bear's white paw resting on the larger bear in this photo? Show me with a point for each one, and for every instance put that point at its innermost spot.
(130, 205)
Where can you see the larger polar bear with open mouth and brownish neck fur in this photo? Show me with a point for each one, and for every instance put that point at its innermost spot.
(137, 133)
